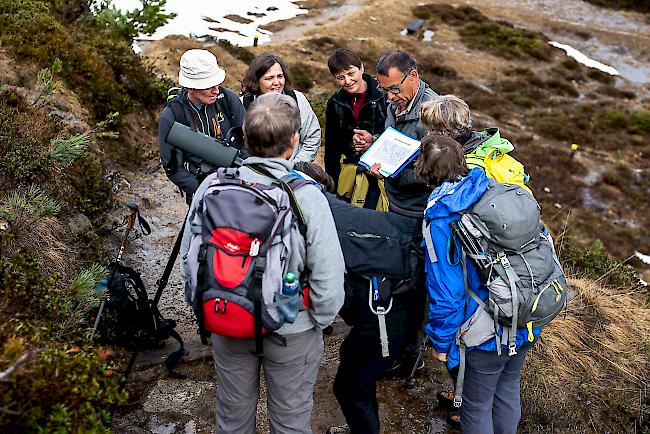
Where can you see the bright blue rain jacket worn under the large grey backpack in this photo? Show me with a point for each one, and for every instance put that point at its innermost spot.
(449, 306)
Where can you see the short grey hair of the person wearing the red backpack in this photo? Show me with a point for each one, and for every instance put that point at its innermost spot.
(270, 122)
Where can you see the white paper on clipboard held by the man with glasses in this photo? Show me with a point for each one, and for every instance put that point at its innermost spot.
(392, 150)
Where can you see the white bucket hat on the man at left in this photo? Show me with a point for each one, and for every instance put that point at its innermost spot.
(199, 70)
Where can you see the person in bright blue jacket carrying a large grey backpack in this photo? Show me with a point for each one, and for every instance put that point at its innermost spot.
(491, 389)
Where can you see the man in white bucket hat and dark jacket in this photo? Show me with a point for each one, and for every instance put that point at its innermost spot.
(203, 105)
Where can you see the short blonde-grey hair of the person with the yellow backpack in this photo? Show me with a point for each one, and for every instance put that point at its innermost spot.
(446, 114)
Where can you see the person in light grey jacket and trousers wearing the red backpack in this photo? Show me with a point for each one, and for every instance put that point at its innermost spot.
(291, 360)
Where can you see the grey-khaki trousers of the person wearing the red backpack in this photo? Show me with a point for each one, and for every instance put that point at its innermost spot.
(290, 374)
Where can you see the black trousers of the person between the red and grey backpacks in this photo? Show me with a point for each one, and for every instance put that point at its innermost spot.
(361, 359)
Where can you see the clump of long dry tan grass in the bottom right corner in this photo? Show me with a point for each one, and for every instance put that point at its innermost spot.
(595, 361)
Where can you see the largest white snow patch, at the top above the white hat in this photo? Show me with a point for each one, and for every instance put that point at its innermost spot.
(202, 17)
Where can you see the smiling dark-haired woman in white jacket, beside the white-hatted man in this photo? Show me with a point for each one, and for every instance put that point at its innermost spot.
(268, 73)
